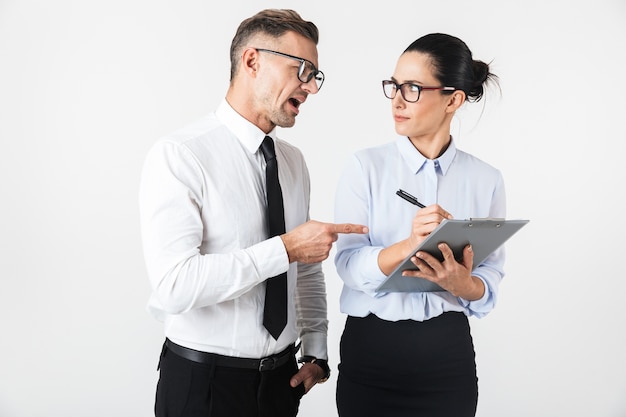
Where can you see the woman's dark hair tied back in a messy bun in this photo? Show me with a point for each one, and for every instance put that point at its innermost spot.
(454, 65)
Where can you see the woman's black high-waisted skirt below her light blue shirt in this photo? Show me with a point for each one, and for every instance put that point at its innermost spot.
(407, 368)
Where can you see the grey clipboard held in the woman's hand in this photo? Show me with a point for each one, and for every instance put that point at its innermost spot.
(485, 234)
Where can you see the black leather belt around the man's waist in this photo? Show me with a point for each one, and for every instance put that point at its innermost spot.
(263, 364)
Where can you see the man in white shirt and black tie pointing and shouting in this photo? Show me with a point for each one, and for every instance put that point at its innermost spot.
(211, 251)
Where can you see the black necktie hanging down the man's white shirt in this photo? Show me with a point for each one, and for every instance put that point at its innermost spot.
(275, 313)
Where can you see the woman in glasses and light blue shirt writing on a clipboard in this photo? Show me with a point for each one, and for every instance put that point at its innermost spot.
(411, 354)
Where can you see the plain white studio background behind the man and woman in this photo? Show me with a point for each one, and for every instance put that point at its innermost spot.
(86, 87)
